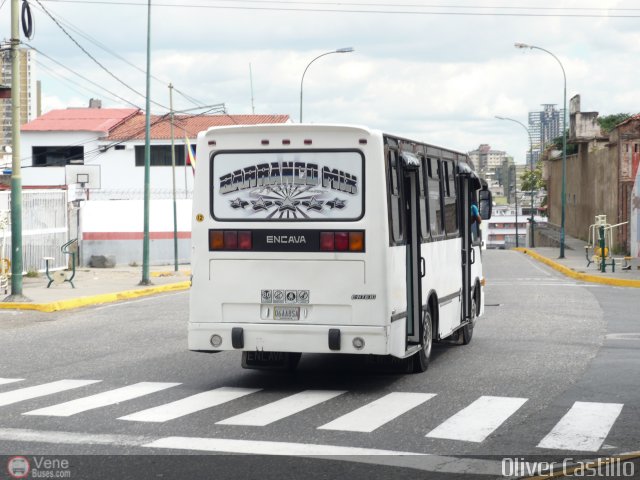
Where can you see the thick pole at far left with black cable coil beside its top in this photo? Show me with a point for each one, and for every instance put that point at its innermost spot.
(16, 176)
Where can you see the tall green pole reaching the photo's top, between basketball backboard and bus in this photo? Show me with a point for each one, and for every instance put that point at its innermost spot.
(147, 159)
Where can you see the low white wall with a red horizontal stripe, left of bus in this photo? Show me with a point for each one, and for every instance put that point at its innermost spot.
(115, 227)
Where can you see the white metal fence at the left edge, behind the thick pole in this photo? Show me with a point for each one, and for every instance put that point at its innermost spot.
(44, 228)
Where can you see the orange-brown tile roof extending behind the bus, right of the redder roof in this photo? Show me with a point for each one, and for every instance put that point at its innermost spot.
(134, 127)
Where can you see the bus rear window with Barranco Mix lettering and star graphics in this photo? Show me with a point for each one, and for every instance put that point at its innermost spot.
(287, 185)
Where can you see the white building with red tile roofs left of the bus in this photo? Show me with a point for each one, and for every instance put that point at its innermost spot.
(98, 155)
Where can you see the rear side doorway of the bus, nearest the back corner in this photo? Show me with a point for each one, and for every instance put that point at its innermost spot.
(415, 266)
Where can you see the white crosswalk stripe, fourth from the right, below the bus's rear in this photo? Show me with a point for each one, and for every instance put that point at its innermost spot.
(282, 408)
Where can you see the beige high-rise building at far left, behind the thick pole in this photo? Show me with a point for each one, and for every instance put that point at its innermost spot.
(28, 91)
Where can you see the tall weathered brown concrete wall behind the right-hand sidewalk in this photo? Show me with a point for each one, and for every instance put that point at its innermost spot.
(591, 189)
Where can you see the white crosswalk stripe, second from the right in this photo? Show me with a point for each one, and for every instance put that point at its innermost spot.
(478, 420)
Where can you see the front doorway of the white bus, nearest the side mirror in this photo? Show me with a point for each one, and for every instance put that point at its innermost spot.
(464, 197)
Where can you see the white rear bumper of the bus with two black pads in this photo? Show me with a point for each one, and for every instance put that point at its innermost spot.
(289, 338)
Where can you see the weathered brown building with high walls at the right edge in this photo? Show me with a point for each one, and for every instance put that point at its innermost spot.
(603, 178)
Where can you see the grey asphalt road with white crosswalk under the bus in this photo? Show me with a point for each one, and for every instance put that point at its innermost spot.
(553, 372)
